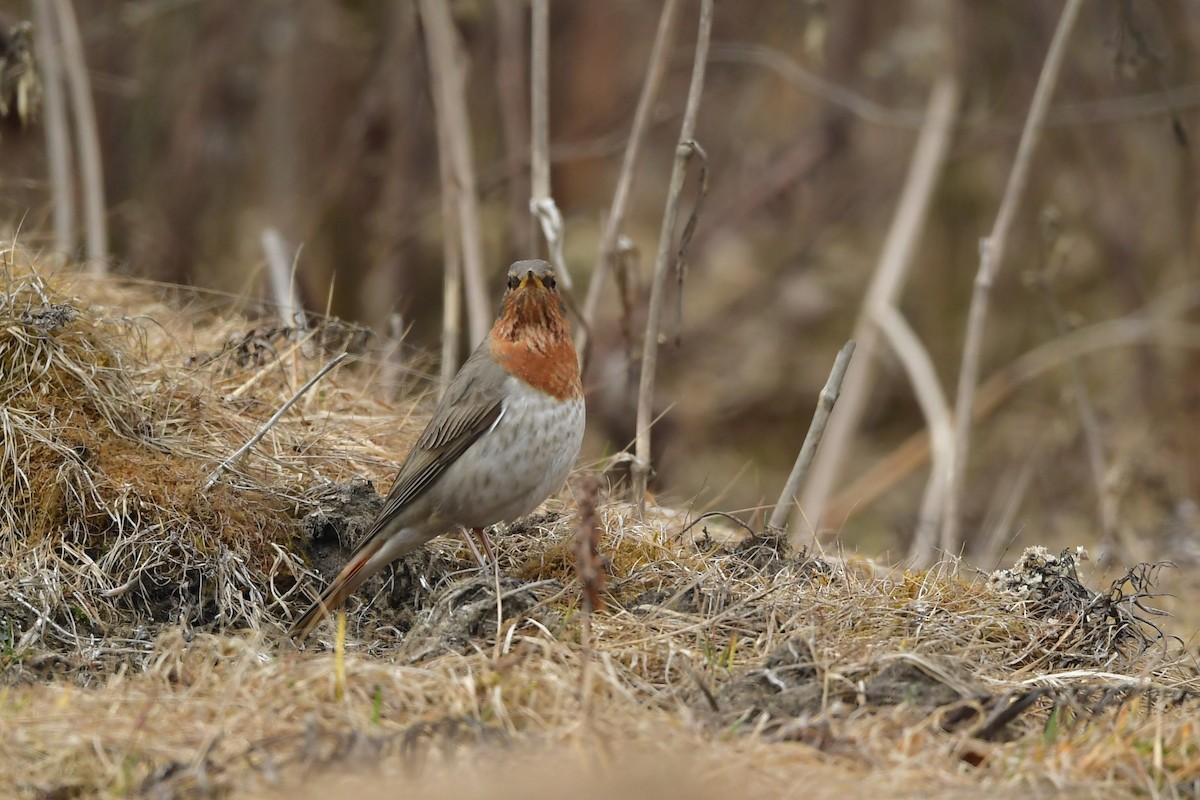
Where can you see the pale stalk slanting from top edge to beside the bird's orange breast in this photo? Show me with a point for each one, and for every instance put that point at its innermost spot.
(609, 239)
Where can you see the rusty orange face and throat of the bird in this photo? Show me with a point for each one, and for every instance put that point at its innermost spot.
(532, 341)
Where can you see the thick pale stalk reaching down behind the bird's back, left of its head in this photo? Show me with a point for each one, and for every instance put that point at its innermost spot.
(448, 74)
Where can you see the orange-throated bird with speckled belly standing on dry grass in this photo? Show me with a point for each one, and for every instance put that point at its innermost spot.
(503, 438)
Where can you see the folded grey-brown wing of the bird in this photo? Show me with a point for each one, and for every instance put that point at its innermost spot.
(470, 408)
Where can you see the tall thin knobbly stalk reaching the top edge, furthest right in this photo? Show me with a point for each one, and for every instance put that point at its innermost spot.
(992, 257)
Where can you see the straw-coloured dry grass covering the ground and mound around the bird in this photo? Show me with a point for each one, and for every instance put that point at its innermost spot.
(142, 616)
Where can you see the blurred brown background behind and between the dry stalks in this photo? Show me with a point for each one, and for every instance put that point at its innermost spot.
(220, 118)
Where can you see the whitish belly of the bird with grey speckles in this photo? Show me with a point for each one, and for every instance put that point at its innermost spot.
(503, 477)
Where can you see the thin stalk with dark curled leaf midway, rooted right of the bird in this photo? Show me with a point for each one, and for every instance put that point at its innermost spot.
(640, 468)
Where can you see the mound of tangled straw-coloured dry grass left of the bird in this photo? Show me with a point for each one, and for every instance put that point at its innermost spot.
(116, 408)
